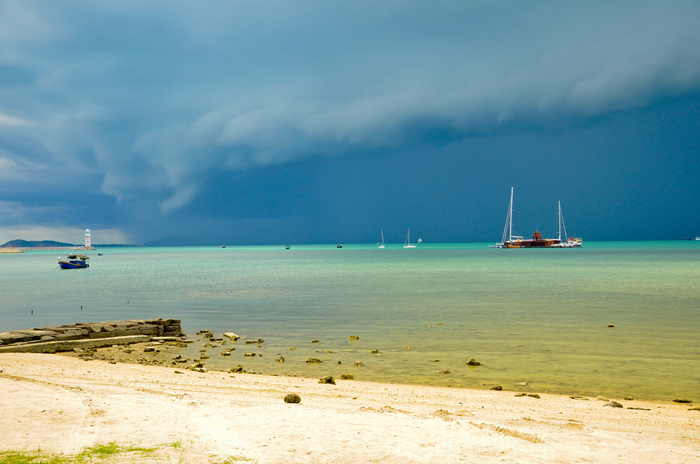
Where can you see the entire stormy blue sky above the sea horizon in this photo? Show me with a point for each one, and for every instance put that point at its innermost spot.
(279, 122)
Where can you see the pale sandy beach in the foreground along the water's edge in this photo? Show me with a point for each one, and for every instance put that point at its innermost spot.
(62, 405)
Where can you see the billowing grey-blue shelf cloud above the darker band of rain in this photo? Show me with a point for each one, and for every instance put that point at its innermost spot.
(152, 97)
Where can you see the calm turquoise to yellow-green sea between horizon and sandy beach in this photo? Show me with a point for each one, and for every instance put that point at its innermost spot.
(535, 316)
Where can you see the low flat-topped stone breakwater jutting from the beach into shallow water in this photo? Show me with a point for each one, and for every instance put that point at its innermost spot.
(92, 334)
